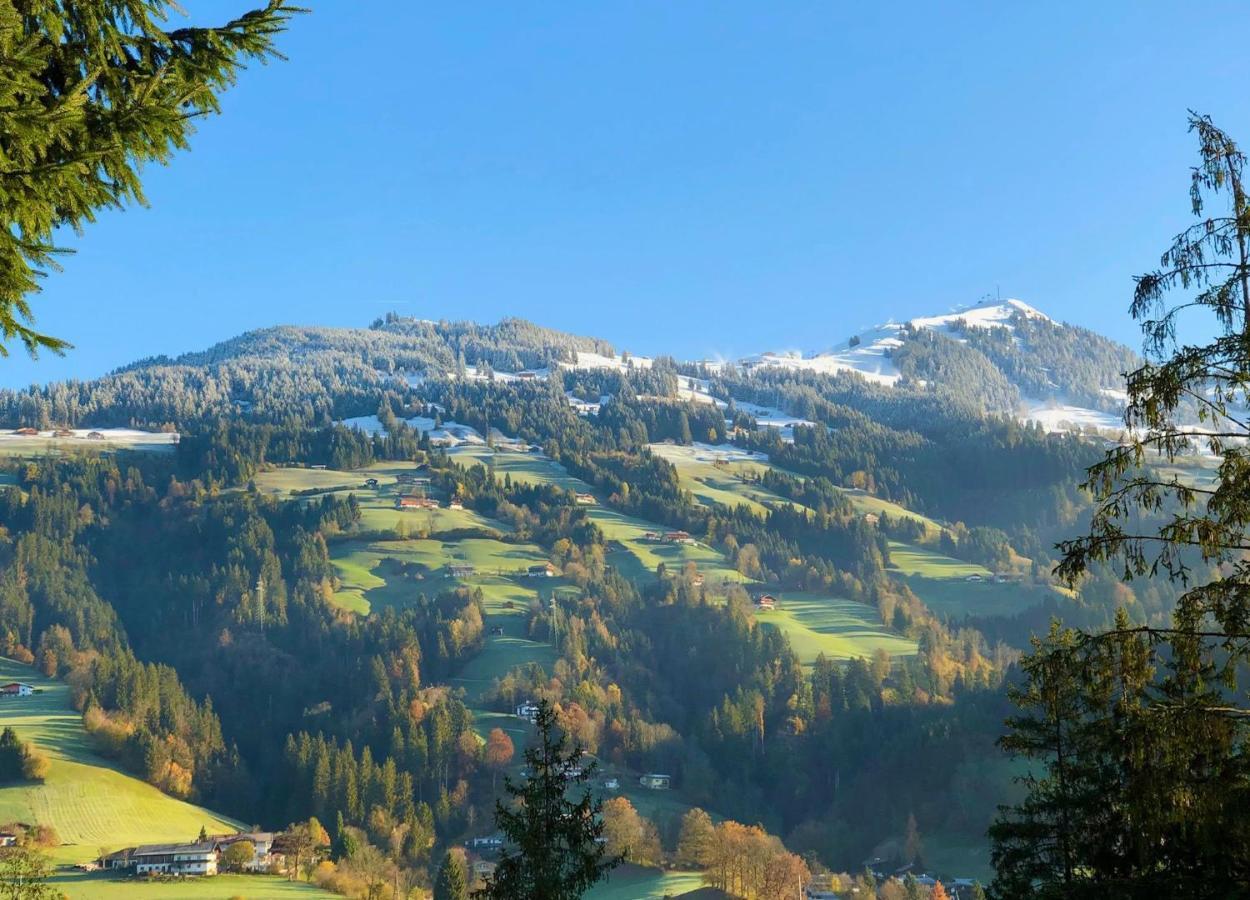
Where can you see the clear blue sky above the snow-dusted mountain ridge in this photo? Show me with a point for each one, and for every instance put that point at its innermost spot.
(687, 178)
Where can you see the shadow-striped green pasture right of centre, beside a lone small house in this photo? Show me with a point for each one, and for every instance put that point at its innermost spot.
(834, 627)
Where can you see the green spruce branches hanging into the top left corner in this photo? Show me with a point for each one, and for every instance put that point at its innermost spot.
(91, 91)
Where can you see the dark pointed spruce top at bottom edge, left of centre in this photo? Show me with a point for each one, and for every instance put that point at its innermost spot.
(553, 843)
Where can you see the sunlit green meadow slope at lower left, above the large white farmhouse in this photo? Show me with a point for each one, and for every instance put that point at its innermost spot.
(86, 798)
